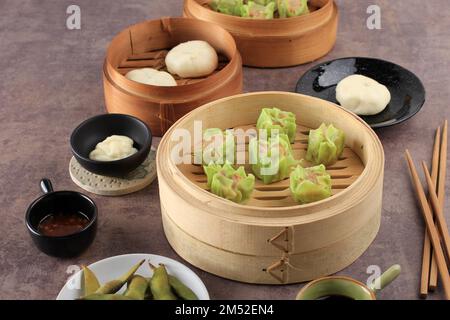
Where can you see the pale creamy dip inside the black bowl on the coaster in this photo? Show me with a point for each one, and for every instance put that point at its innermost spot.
(113, 148)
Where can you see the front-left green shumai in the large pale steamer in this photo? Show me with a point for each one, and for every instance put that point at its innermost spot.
(229, 183)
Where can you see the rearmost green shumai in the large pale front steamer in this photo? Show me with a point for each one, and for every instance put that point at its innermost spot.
(276, 119)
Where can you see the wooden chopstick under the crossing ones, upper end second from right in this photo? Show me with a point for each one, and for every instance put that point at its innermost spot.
(427, 250)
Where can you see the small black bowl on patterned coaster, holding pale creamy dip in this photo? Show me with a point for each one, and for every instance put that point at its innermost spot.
(94, 130)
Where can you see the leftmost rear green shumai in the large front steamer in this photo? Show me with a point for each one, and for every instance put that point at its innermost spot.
(217, 147)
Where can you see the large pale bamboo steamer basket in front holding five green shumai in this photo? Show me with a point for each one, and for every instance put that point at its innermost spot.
(272, 239)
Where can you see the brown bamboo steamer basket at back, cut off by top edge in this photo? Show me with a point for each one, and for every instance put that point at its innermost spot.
(276, 42)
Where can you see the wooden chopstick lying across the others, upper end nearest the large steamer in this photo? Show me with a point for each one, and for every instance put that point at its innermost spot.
(428, 217)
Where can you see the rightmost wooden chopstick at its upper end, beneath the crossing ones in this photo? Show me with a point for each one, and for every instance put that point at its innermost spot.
(441, 195)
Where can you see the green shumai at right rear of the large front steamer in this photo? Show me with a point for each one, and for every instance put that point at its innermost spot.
(325, 145)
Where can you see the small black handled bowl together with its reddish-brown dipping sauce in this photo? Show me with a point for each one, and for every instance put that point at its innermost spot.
(74, 213)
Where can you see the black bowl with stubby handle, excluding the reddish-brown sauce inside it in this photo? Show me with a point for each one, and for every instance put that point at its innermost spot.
(61, 202)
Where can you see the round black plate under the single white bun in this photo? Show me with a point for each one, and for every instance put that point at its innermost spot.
(407, 91)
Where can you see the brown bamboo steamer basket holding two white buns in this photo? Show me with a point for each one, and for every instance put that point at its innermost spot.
(146, 45)
